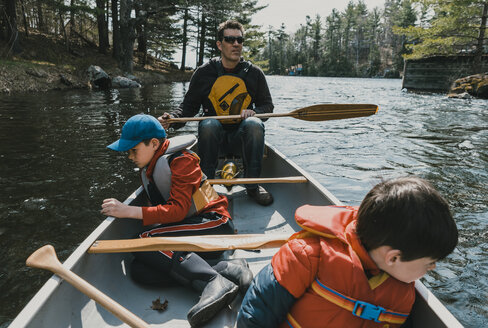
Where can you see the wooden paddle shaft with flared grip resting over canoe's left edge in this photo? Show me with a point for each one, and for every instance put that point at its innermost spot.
(45, 258)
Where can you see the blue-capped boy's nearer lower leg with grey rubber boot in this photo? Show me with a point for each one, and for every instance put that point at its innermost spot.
(216, 291)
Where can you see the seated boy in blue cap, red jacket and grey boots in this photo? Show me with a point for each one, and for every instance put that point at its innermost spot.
(183, 203)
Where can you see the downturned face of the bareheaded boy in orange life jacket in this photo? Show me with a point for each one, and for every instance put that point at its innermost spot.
(409, 271)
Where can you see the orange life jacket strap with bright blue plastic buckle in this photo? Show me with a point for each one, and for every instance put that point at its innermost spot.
(358, 308)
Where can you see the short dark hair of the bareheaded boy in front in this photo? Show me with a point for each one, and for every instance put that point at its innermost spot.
(407, 214)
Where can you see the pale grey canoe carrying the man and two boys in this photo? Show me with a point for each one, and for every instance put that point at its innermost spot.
(58, 304)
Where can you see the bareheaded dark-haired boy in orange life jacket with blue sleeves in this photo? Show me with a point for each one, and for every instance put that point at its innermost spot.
(354, 267)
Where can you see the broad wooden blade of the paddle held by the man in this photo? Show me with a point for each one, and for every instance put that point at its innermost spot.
(325, 112)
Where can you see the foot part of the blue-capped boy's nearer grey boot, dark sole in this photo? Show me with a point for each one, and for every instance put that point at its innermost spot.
(218, 293)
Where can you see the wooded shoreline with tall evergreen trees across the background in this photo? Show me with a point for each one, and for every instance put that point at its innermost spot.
(138, 40)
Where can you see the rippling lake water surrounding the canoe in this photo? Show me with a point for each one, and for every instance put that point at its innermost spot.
(55, 170)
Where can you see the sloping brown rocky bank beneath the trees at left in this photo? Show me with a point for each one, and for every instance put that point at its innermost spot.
(44, 64)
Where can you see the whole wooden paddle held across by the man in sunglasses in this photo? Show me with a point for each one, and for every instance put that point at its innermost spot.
(321, 112)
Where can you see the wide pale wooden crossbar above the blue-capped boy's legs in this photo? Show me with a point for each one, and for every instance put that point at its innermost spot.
(205, 243)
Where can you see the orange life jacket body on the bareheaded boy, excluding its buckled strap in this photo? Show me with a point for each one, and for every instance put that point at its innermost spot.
(328, 253)
